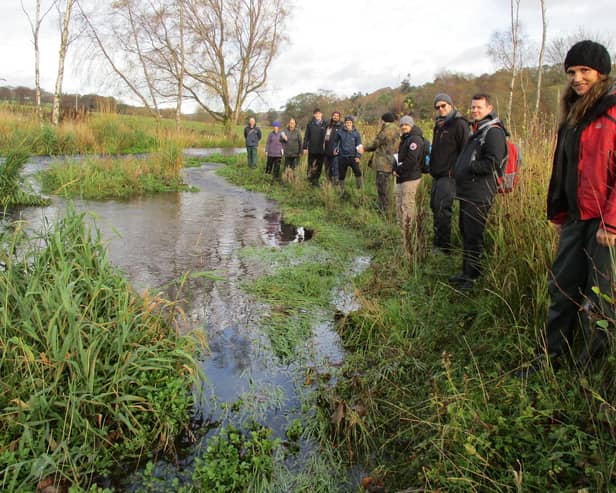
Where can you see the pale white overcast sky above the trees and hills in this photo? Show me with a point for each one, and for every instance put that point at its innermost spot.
(344, 46)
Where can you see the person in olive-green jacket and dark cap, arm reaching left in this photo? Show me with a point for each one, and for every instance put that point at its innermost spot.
(384, 145)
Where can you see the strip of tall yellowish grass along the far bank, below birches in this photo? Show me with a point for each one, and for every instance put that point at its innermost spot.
(104, 133)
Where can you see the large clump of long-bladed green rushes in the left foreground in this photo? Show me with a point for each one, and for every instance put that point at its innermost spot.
(91, 373)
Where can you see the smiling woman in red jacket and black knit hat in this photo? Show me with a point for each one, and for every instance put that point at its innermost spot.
(582, 205)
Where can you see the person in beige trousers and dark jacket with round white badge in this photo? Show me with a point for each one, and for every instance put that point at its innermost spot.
(408, 173)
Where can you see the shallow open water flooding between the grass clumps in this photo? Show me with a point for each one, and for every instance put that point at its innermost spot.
(156, 239)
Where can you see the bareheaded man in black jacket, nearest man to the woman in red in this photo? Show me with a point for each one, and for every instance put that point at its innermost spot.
(475, 174)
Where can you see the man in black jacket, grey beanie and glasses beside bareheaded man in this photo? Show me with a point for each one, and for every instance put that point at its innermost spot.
(450, 135)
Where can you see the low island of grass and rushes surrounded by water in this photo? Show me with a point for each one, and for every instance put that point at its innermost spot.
(106, 178)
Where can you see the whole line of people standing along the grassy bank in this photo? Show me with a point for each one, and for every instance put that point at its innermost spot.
(463, 162)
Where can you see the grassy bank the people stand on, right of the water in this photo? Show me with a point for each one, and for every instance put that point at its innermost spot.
(427, 399)
